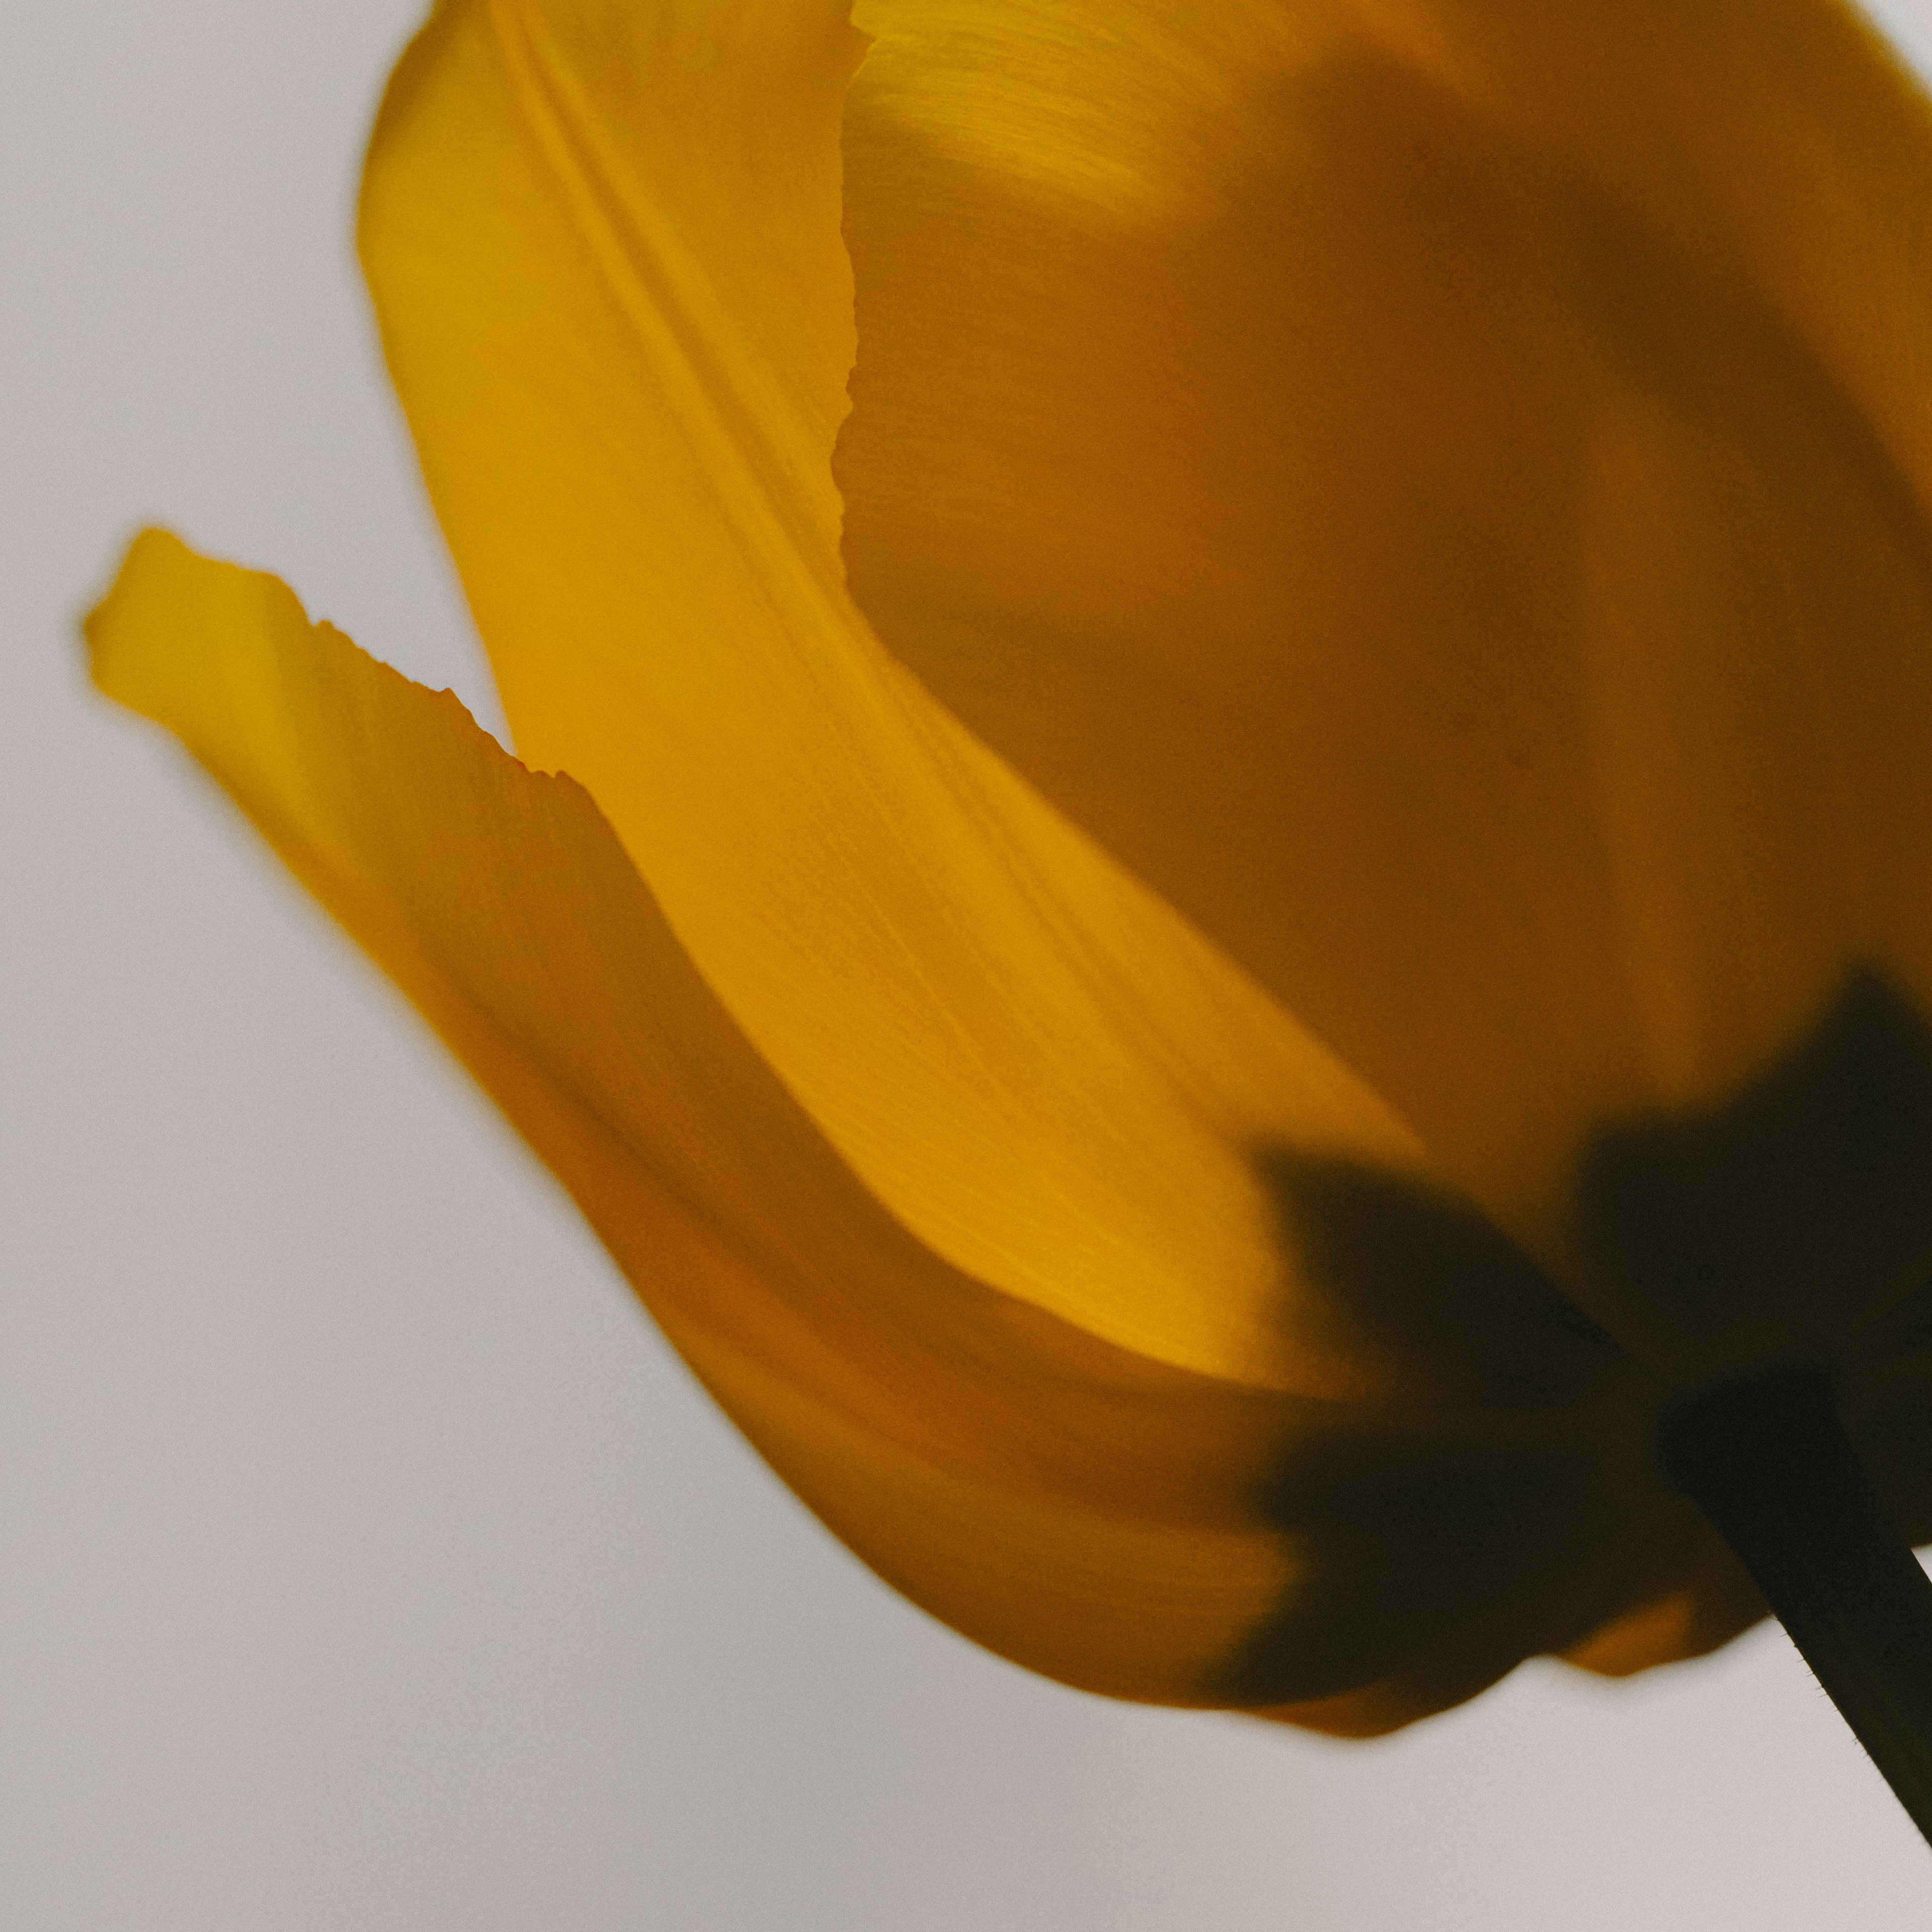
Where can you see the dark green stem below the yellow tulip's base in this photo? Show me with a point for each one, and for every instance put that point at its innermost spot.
(1769, 1463)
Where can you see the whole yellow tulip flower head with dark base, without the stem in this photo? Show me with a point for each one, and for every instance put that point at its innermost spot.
(1201, 957)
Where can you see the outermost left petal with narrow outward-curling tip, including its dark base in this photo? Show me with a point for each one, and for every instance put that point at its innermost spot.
(1096, 1516)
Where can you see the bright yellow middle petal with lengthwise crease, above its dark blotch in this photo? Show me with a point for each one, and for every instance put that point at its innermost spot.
(604, 244)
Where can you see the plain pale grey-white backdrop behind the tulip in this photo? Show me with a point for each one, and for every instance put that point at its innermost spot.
(366, 1562)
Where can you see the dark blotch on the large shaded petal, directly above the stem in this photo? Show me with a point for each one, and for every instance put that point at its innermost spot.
(1790, 1216)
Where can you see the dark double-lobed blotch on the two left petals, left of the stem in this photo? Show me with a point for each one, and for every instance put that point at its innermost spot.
(1471, 1516)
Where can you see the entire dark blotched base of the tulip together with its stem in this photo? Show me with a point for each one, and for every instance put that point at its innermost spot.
(1771, 1259)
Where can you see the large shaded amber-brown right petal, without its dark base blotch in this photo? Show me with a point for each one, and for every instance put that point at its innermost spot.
(1440, 488)
